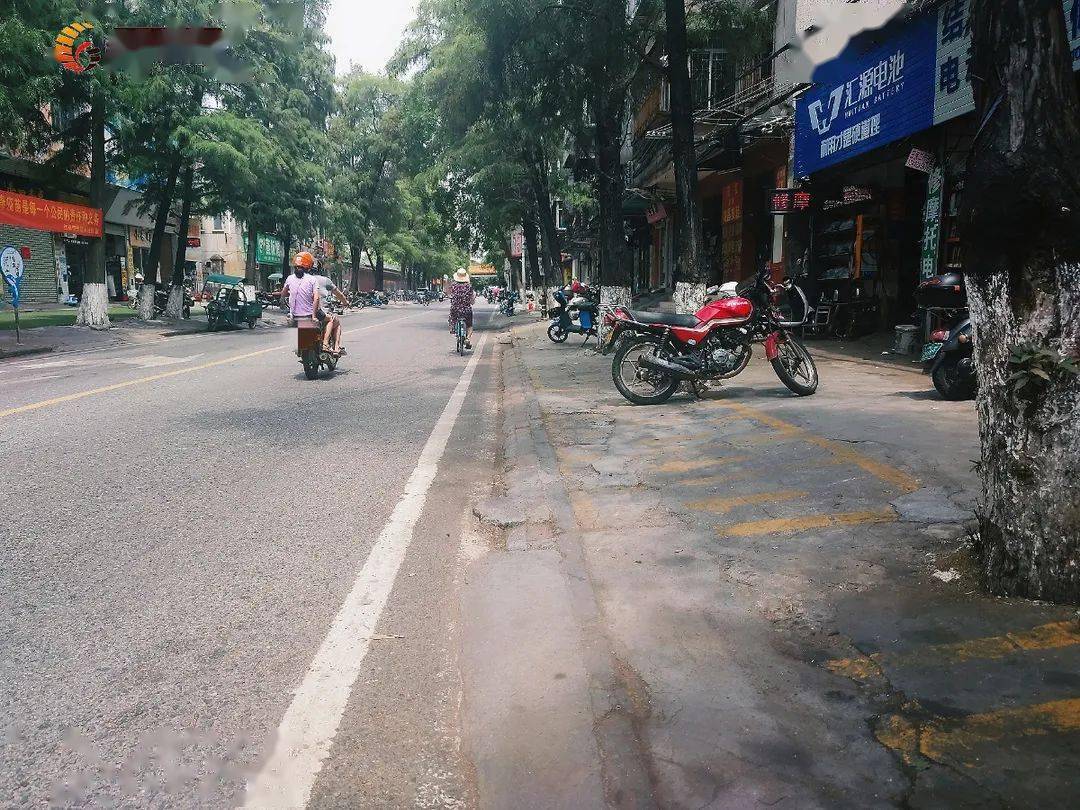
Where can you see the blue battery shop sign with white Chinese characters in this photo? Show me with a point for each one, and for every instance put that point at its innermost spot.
(911, 77)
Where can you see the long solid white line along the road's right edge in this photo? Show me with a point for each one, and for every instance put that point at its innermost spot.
(310, 724)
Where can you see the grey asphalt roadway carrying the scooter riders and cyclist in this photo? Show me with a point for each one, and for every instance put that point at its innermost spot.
(184, 528)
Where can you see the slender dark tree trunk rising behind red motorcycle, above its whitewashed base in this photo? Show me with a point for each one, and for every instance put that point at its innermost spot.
(690, 241)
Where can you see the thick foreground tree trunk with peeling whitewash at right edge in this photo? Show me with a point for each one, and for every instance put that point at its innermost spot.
(1021, 221)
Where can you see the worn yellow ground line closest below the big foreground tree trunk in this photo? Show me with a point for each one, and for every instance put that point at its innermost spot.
(1051, 637)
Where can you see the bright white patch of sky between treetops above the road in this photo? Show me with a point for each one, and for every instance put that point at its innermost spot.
(367, 33)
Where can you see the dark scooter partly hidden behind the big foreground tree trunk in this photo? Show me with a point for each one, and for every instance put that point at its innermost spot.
(950, 355)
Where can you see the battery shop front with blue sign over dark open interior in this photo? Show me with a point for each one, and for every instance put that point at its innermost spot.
(881, 144)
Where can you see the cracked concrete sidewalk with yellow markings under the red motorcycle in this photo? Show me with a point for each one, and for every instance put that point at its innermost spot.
(788, 586)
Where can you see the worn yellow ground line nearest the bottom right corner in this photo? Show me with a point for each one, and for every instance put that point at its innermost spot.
(960, 740)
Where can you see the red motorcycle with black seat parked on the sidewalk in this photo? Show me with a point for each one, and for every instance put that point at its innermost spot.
(657, 352)
